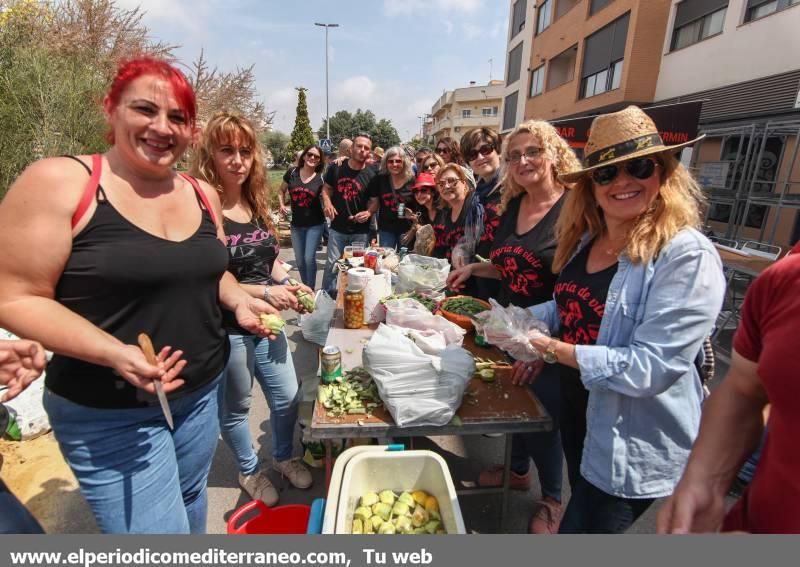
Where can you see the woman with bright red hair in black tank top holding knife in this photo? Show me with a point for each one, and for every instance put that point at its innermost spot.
(116, 245)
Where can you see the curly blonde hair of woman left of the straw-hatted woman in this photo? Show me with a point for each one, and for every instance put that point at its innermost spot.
(555, 149)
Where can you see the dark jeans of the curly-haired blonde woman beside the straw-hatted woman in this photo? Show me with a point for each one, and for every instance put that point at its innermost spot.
(543, 447)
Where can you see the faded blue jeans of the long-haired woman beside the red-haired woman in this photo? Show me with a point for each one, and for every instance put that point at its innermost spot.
(270, 362)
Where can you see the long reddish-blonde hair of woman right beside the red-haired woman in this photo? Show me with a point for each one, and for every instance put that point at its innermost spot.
(223, 128)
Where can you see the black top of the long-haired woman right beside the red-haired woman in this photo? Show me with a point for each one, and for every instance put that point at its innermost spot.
(252, 251)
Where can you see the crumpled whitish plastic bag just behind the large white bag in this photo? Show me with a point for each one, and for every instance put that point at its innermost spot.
(432, 333)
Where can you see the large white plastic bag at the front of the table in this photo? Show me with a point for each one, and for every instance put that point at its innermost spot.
(416, 388)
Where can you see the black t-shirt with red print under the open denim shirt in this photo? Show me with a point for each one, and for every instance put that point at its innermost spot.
(581, 299)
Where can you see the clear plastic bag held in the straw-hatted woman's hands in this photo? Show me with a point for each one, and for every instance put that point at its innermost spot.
(511, 329)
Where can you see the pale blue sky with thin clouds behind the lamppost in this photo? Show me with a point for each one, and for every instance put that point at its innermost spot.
(394, 57)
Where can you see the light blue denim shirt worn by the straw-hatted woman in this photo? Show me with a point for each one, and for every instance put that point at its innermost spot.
(644, 388)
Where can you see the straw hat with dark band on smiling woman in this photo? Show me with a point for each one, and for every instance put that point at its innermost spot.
(620, 136)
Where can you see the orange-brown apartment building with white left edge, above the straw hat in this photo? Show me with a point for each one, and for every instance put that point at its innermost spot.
(583, 56)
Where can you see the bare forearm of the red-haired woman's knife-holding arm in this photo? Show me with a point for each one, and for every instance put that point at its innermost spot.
(59, 329)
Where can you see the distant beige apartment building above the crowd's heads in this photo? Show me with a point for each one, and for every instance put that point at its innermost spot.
(459, 110)
